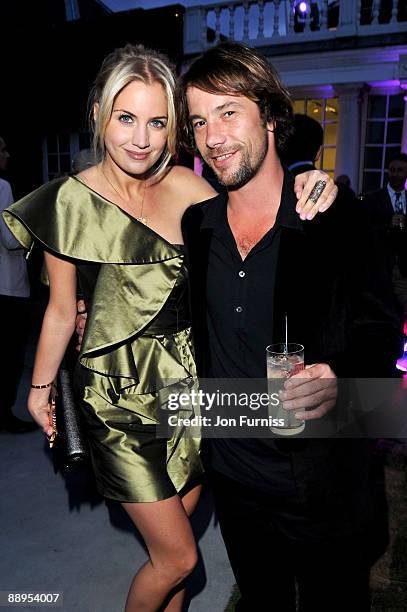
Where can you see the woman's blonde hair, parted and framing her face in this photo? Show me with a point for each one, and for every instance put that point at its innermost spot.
(121, 67)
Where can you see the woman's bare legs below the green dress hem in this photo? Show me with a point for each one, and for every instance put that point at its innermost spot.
(167, 533)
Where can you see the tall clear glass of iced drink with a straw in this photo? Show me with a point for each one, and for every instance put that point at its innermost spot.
(283, 361)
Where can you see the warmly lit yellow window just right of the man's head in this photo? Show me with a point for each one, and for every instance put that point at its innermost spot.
(326, 111)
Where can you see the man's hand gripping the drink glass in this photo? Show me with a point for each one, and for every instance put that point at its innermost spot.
(312, 392)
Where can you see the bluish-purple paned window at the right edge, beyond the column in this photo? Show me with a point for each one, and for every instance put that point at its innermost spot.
(384, 126)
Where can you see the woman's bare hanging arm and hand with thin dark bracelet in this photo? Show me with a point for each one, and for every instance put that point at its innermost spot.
(57, 328)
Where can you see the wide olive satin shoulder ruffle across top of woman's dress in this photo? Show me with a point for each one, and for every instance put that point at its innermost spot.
(59, 213)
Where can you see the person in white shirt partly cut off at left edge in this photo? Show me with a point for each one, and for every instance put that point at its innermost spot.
(14, 293)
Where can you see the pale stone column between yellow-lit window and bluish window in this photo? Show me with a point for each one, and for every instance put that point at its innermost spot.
(349, 132)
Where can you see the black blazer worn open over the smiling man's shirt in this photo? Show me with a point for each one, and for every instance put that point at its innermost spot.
(340, 306)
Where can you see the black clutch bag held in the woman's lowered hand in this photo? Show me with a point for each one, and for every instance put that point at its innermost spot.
(70, 446)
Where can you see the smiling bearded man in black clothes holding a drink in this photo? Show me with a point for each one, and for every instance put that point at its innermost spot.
(306, 513)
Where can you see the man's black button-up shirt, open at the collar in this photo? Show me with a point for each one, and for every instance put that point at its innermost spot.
(240, 296)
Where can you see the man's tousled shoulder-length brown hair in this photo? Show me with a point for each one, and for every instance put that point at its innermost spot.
(235, 69)
